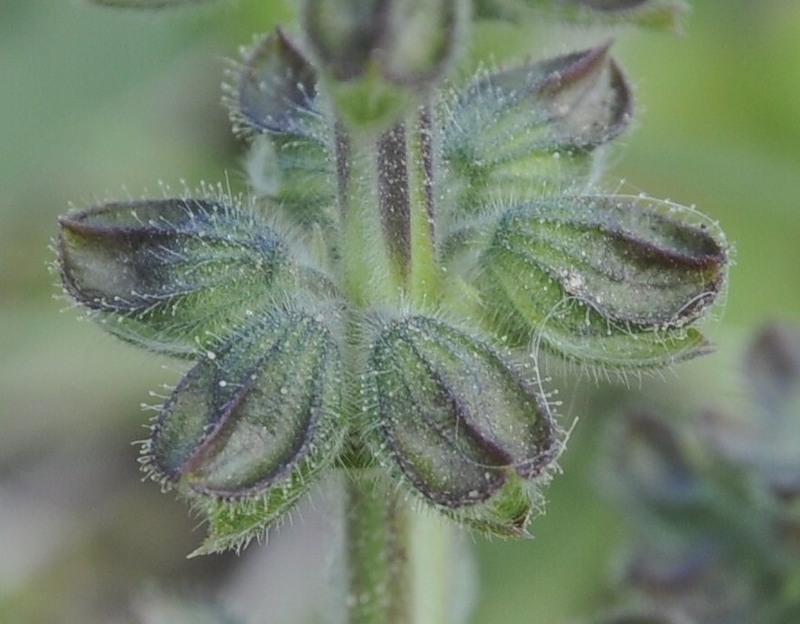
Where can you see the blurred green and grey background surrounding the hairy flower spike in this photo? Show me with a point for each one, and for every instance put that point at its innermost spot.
(98, 104)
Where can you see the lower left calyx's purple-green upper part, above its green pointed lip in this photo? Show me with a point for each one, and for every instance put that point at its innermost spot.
(250, 414)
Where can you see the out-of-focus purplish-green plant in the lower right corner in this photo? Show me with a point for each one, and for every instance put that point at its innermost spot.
(715, 505)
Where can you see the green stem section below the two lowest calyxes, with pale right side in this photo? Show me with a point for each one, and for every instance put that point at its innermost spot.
(401, 567)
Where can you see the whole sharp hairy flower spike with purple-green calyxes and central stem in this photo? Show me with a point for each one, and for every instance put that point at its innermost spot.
(375, 306)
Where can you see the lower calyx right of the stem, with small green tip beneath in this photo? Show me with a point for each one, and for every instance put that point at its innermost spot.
(458, 422)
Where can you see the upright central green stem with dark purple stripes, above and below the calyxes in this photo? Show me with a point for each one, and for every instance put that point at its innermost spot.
(397, 565)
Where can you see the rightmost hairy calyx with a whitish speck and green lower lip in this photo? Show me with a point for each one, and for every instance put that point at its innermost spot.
(607, 280)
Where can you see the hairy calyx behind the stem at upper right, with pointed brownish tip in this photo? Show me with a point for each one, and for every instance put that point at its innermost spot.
(532, 130)
